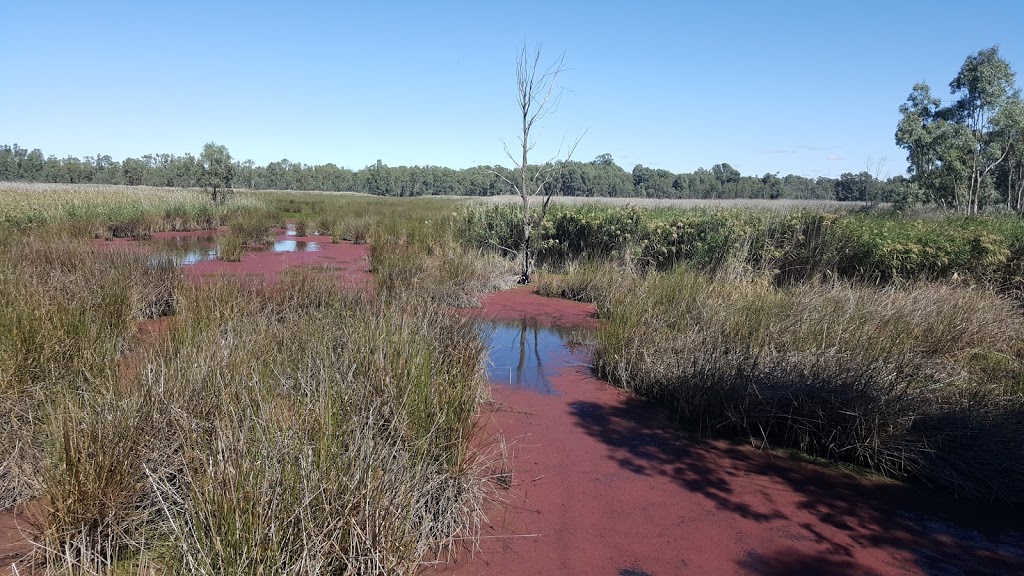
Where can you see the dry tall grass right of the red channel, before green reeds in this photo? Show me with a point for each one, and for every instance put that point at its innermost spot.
(922, 382)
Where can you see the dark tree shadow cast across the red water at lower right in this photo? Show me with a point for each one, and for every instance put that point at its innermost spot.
(944, 537)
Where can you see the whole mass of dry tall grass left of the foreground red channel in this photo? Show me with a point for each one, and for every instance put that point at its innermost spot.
(291, 429)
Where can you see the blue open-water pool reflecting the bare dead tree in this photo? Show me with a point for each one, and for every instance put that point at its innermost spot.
(527, 355)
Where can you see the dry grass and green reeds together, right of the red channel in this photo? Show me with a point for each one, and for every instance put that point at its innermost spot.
(890, 342)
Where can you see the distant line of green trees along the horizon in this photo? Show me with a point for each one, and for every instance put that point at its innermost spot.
(601, 178)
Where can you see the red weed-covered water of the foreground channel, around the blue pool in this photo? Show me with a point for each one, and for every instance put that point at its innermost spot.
(605, 485)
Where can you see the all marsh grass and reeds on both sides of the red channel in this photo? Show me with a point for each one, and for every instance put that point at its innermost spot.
(301, 428)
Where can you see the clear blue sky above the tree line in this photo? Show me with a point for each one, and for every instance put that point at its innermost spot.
(808, 89)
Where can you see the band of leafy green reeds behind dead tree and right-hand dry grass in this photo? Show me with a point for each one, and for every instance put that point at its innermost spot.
(797, 245)
